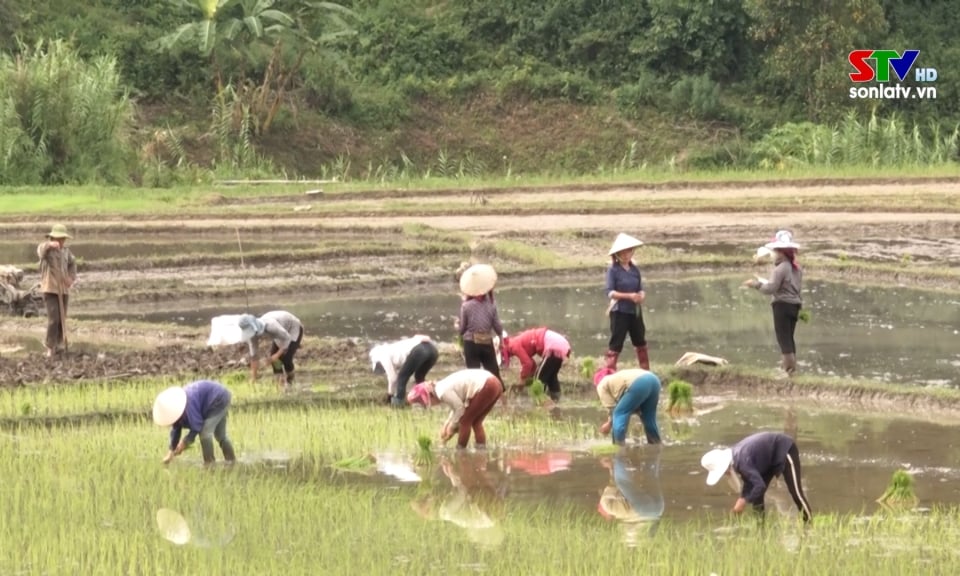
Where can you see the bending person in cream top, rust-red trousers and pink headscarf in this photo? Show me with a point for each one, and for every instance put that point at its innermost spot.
(470, 394)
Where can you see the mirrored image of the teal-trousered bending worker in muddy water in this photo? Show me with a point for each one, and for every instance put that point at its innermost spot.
(633, 496)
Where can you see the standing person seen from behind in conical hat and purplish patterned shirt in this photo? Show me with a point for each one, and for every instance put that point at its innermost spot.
(479, 320)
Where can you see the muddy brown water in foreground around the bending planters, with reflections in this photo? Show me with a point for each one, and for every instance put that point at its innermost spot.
(846, 463)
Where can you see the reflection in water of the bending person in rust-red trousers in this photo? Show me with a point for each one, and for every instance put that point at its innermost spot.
(474, 500)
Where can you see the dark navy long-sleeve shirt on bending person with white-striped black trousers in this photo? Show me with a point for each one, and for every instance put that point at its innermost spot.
(758, 459)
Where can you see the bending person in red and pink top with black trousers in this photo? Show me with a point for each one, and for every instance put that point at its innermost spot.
(552, 348)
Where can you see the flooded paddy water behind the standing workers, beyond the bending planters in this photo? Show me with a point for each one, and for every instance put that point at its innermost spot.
(894, 334)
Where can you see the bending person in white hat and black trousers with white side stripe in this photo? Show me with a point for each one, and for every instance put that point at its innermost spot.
(757, 460)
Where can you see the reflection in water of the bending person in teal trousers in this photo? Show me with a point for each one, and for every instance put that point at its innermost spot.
(635, 496)
